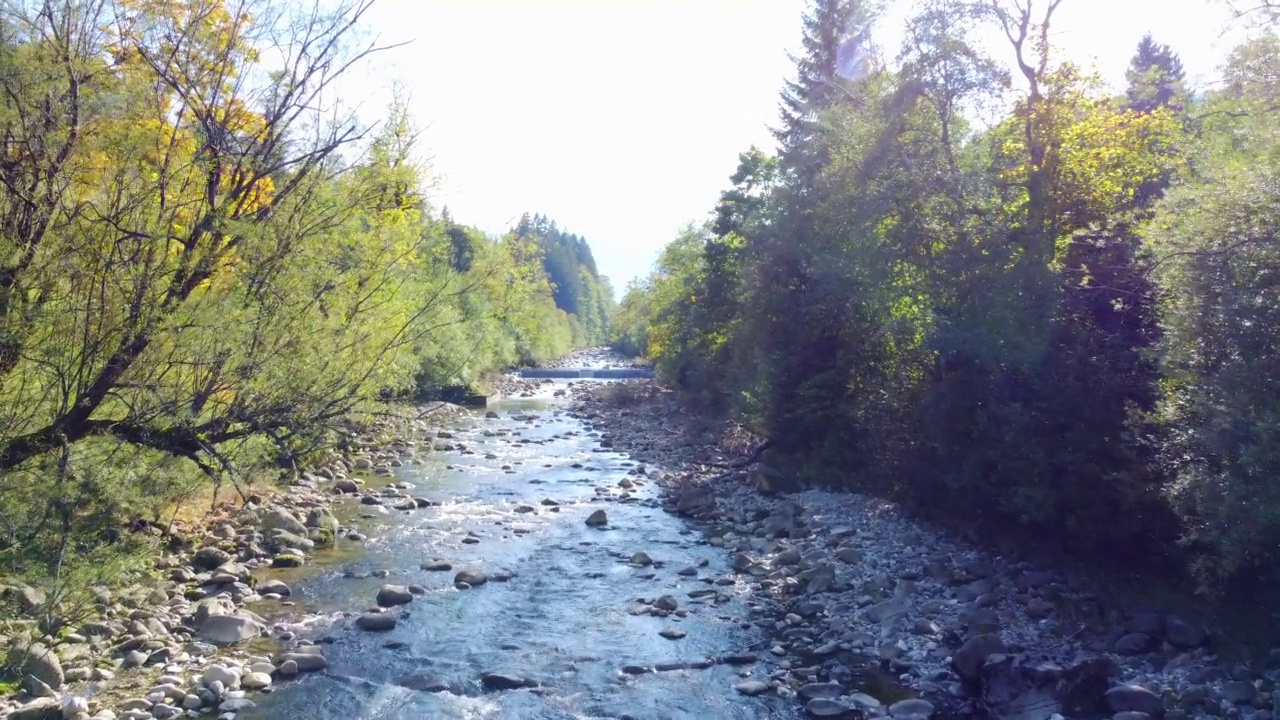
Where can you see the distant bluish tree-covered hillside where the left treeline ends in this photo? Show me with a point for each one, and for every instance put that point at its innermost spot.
(577, 284)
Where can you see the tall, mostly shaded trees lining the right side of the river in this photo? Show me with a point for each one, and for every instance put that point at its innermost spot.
(1066, 318)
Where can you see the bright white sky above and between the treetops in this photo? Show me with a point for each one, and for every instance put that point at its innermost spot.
(623, 120)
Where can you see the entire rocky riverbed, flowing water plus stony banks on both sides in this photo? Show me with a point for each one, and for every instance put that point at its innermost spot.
(602, 557)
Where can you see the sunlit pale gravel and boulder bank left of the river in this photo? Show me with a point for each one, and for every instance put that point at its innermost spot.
(191, 645)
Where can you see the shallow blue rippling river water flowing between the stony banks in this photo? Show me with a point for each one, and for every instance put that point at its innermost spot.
(563, 621)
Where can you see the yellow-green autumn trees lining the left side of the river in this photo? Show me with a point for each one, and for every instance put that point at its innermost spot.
(208, 265)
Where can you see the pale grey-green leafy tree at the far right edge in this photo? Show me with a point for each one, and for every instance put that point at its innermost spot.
(1215, 239)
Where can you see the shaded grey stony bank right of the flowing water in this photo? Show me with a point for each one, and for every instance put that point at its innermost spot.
(875, 614)
